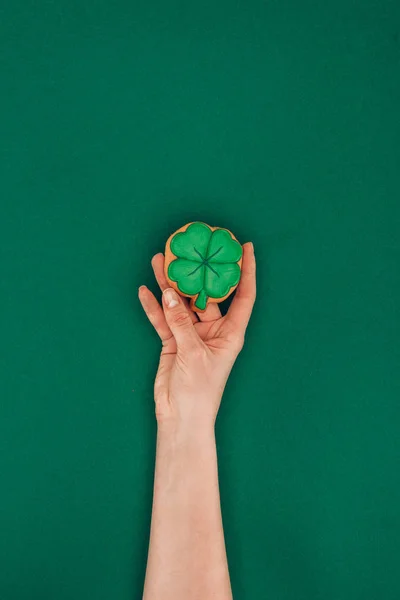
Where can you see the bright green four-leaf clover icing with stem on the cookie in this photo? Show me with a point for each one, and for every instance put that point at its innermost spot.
(206, 262)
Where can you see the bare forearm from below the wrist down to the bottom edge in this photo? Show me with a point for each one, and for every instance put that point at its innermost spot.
(187, 557)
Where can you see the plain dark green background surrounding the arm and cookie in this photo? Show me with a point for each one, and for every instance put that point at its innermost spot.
(121, 121)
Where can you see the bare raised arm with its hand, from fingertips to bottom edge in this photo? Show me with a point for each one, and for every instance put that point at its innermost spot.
(187, 556)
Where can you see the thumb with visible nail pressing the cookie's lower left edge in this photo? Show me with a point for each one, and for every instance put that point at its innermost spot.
(179, 321)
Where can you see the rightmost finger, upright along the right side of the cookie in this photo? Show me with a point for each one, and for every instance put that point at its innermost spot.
(242, 304)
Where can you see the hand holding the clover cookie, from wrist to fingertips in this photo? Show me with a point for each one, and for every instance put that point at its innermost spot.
(198, 349)
